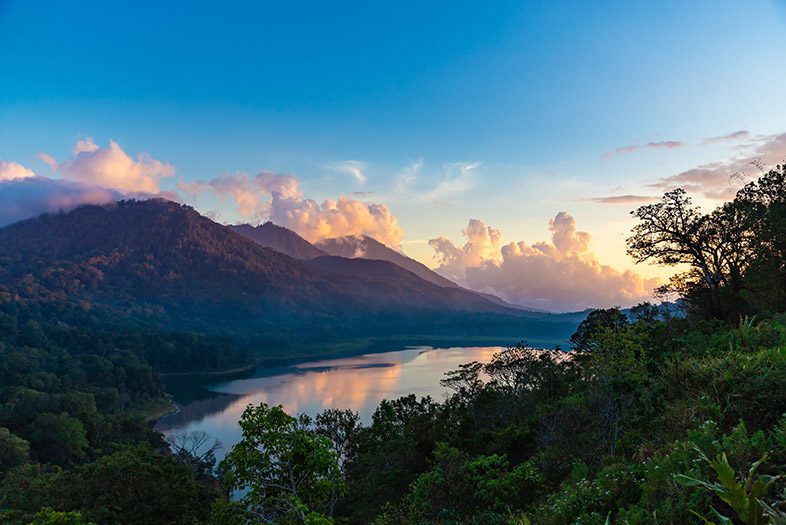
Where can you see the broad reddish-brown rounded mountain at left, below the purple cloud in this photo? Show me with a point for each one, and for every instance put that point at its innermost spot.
(151, 252)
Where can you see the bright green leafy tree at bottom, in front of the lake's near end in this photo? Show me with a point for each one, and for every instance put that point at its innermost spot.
(288, 474)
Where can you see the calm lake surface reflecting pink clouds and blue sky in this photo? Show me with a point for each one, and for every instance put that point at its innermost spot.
(358, 383)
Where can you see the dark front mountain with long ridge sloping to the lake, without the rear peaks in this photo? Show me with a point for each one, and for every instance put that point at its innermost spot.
(164, 264)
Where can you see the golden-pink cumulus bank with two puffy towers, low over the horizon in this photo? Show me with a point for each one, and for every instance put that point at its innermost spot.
(563, 274)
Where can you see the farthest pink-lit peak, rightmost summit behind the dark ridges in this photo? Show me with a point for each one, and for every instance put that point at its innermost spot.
(363, 246)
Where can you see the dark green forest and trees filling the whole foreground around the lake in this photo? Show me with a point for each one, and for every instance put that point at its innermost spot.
(651, 418)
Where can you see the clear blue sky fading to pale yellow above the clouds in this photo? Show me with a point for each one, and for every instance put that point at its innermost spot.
(532, 95)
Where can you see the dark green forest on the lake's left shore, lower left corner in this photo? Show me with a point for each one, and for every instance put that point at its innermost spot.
(73, 435)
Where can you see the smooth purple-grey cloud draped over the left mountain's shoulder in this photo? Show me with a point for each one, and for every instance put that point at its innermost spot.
(31, 196)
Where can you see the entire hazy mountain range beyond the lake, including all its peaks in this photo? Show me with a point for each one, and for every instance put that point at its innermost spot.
(196, 295)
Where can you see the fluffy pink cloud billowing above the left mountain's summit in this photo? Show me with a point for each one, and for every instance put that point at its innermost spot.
(111, 168)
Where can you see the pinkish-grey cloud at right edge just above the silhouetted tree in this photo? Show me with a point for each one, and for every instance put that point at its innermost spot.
(721, 180)
